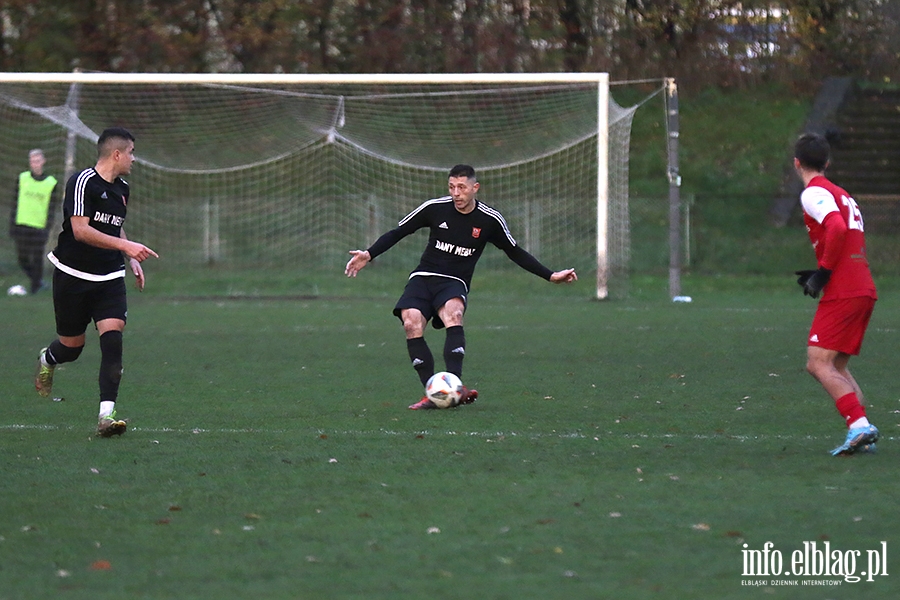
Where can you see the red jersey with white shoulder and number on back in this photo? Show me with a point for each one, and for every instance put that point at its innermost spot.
(835, 228)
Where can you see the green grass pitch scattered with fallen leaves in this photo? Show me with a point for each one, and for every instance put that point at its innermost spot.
(625, 449)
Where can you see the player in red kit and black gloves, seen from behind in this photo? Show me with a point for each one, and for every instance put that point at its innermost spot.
(835, 228)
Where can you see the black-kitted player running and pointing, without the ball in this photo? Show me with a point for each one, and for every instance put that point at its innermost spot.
(89, 278)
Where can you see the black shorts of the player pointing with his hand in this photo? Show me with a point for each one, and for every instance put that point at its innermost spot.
(77, 302)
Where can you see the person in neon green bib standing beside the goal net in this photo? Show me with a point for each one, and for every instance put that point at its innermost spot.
(36, 200)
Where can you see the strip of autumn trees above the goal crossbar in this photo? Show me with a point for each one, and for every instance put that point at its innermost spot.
(702, 42)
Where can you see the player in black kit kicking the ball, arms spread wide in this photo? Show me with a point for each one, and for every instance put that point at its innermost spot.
(460, 227)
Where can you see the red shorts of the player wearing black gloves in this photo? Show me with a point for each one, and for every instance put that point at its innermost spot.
(841, 324)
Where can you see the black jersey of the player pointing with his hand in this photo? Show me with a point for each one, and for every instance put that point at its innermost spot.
(104, 202)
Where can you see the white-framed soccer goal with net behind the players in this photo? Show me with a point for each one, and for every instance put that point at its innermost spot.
(265, 171)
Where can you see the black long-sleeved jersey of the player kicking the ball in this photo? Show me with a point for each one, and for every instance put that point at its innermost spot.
(456, 240)
